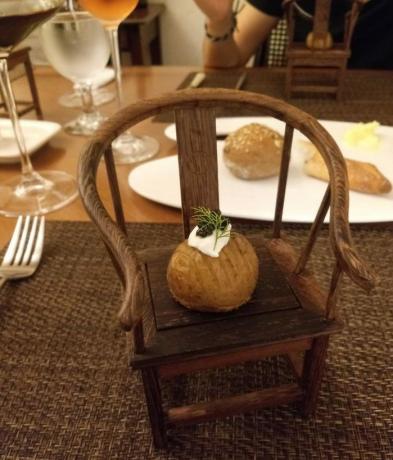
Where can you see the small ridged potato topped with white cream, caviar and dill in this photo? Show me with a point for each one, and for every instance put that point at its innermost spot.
(214, 270)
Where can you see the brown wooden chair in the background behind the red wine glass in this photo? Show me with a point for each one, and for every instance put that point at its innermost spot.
(21, 56)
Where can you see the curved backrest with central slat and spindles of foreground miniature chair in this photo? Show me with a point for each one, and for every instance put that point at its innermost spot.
(196, 137)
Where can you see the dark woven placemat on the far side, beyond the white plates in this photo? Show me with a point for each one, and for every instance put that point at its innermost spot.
(366, 97)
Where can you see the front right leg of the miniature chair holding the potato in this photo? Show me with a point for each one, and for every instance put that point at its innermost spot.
(314, 366)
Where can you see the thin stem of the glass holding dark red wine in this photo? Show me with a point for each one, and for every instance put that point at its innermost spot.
(5, 85)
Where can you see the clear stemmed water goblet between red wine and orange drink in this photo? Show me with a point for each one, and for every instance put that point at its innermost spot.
(75, 44)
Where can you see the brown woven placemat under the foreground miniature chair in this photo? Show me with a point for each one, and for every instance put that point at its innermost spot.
(66, 390)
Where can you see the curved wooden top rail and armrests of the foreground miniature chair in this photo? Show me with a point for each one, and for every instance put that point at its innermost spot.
(211, 98)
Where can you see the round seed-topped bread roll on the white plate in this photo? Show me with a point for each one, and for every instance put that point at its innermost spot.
(253, 152)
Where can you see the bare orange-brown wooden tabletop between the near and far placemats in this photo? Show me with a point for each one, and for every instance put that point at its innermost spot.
(63, 150)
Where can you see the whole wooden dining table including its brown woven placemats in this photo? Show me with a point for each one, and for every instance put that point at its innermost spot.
(67, 391)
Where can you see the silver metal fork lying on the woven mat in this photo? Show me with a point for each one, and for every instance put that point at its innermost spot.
(24, 250)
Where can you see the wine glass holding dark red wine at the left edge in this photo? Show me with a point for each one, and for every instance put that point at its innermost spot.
(31, 193)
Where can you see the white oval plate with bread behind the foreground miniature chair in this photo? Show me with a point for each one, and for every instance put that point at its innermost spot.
(158, 180)
